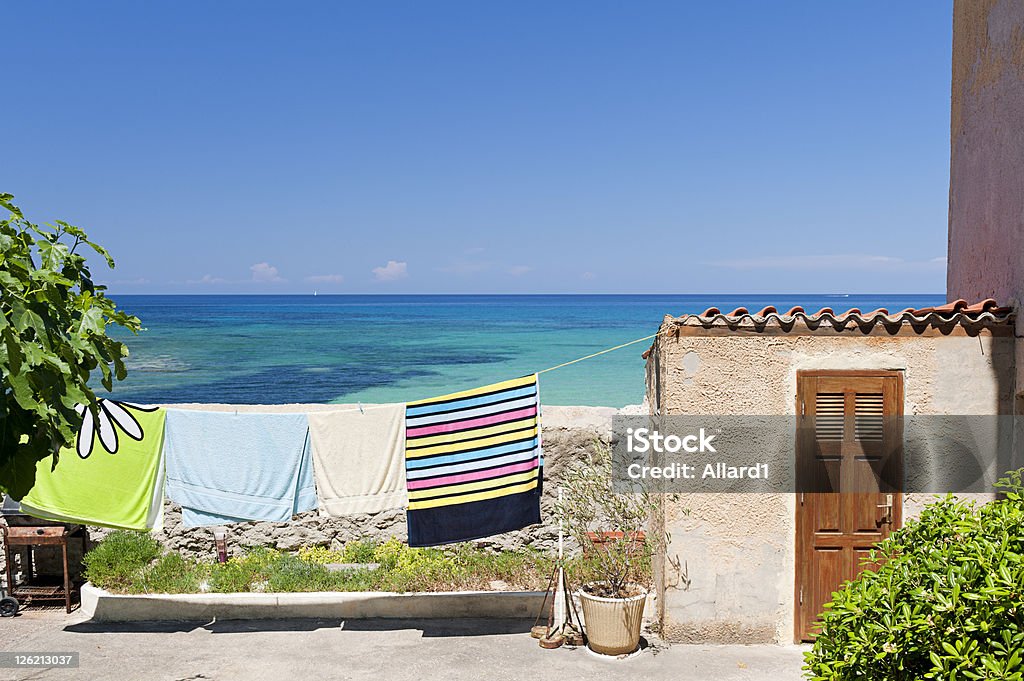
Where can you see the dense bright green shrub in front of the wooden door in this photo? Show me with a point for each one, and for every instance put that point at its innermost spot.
(946, 603)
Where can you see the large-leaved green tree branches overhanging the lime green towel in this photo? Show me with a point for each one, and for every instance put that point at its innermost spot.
(54, 335)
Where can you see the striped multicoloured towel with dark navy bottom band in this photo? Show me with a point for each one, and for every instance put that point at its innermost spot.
(474, 463)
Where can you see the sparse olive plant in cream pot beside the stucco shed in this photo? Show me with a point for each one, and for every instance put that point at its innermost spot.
(611, 528)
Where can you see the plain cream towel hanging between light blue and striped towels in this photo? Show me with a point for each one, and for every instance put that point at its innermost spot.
(360, 460)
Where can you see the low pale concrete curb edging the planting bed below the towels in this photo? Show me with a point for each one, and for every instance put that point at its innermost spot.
(101, 606)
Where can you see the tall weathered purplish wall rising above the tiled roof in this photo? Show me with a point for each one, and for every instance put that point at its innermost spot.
(987, 194)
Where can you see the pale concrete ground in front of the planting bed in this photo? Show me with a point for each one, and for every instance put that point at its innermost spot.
(373, 650)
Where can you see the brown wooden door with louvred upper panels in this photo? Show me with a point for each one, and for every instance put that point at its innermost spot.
(849, 470)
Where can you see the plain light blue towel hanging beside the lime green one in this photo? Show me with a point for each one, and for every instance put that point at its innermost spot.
(228, 467)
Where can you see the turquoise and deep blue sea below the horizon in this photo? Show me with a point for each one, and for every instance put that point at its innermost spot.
(277, 350)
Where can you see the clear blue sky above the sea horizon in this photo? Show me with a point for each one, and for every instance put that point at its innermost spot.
(487, 148)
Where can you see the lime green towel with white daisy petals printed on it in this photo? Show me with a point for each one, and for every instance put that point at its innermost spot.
(112, 478)
